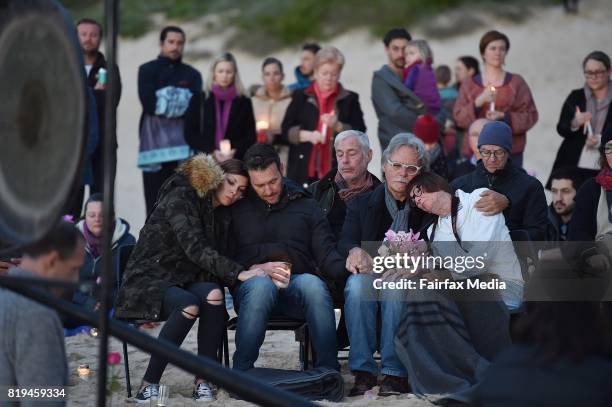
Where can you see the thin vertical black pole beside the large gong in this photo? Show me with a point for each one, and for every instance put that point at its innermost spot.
(110, 125)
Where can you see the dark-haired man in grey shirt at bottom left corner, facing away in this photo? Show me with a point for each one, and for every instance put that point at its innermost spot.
(32, 352)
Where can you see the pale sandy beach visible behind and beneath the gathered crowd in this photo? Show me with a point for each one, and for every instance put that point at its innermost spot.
(547, 50)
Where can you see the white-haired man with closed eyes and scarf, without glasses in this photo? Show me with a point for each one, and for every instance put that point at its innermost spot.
(350, 180)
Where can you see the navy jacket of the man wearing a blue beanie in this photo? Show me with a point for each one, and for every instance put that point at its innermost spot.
(527, 210)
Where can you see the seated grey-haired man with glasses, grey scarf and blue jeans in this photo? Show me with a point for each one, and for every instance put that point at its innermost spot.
(368, 218)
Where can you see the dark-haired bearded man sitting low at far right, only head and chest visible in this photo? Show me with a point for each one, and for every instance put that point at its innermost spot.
(563, 187)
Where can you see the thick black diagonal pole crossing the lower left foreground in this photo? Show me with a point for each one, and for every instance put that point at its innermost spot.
(235, 382)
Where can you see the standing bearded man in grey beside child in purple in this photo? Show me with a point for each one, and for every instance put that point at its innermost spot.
(397, 107)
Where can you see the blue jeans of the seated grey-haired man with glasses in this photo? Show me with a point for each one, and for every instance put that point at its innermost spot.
(361, 302)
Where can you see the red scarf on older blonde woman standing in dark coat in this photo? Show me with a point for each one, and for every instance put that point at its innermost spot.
(320, 155)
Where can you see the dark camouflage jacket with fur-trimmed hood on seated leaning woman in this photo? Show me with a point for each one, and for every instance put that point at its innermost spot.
(179, 244)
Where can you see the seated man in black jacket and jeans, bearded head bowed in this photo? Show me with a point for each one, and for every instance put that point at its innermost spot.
(277, 222)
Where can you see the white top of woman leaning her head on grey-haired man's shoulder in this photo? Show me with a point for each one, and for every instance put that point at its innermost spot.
(492, 232)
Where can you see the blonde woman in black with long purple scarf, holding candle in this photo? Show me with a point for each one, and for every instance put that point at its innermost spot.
(223, 114)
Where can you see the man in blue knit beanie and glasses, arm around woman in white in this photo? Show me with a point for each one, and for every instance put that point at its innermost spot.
(519, 195)
